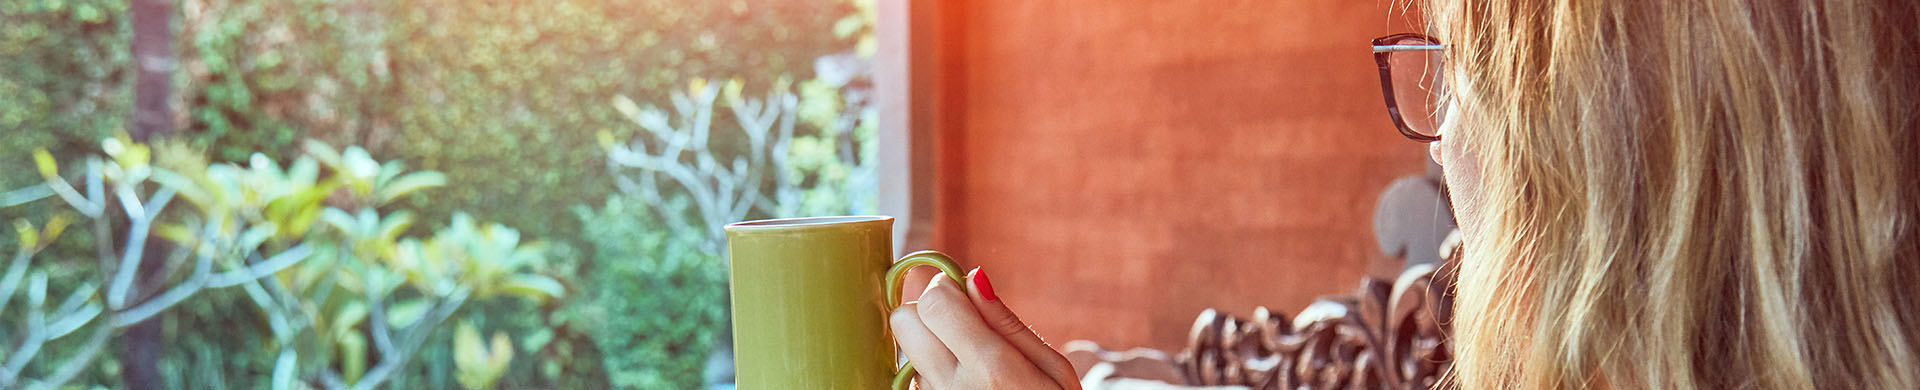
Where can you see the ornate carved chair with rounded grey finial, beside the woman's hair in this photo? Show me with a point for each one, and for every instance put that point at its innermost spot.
(1385, 335)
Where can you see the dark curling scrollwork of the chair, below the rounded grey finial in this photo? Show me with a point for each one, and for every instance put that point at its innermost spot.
(1389, 335)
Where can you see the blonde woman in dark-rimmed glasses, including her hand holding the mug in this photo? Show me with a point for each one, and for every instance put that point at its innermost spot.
(1654, 195)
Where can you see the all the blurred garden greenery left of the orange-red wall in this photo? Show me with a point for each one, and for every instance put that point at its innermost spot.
(544, 143)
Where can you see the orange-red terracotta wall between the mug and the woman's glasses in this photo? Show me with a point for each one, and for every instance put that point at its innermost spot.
(1120, 166)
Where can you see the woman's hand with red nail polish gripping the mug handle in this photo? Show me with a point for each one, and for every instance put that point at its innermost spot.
(963, 341)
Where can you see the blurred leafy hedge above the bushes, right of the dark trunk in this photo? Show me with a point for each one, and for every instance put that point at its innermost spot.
(502, 97)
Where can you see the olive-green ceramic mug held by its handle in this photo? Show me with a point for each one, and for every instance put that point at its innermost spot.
(811, 303)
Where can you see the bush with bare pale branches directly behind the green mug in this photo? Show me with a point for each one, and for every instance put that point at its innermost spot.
(660, 247)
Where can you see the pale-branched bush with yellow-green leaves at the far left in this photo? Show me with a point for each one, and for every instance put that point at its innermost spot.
(345, 299)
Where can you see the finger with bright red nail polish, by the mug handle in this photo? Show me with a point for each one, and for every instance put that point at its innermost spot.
(1017, 333)
